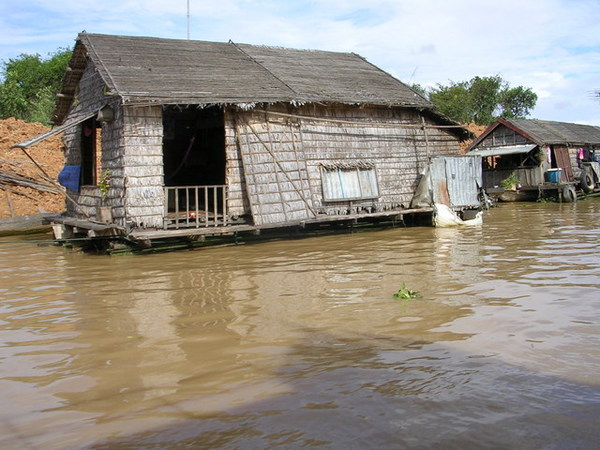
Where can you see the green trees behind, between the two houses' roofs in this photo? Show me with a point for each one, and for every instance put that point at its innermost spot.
(482, 100)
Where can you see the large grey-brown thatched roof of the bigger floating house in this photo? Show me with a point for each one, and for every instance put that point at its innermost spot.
(169, 71)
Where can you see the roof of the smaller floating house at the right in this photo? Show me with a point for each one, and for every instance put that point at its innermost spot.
(545, 132)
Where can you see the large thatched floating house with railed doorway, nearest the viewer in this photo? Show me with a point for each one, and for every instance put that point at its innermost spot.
(197, 138)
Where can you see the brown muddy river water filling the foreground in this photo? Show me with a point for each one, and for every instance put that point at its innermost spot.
(301, 344)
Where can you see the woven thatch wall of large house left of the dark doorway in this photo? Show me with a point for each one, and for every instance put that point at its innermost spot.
(131, 148)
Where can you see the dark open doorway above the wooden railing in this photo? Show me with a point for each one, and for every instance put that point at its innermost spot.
(193, 146)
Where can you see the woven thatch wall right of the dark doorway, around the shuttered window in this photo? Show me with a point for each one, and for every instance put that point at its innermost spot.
(274, 161)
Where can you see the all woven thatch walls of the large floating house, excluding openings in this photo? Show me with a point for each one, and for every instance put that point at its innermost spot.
(274, 159)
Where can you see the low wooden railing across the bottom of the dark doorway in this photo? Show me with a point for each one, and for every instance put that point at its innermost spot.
(195, 206)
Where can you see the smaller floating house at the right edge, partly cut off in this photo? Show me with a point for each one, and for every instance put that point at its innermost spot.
(538, 155)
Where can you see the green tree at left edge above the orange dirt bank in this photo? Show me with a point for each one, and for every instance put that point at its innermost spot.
(30, 84)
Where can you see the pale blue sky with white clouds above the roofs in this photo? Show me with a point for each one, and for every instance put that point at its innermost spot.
(549, 46)
